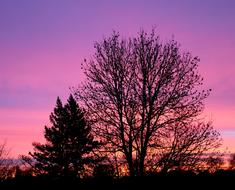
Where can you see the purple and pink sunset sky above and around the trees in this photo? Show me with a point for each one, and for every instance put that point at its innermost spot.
(43, 43)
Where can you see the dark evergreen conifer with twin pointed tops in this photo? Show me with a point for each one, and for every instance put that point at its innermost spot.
(68, 142)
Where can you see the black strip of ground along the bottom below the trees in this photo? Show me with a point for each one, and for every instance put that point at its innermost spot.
(169, 181)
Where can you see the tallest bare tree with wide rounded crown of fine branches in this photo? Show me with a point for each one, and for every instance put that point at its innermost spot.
(136, 90)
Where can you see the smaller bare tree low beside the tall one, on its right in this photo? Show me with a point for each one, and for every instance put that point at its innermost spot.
(184, 147)
